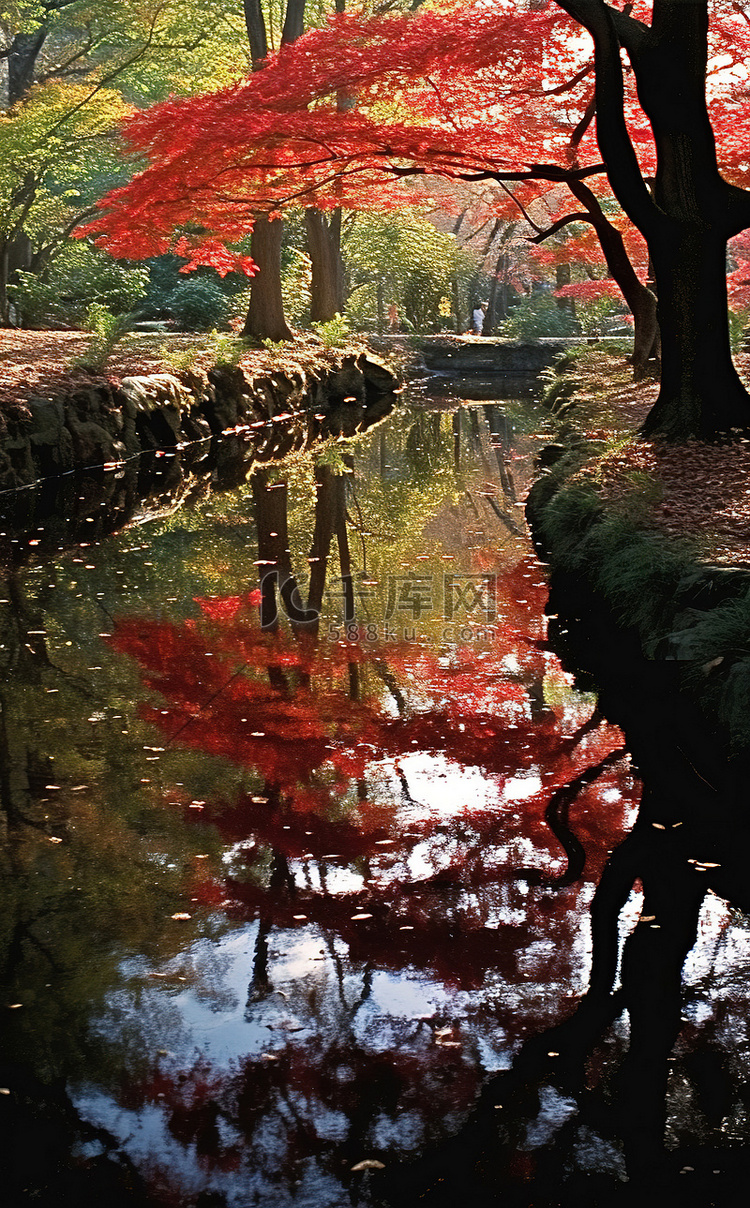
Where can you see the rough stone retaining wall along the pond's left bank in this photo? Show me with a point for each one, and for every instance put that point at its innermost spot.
(107, 422)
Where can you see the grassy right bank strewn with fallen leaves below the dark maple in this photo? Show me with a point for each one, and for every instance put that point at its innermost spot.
(597, 515)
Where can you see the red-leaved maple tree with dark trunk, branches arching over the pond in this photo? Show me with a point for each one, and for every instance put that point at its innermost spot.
(283, 137)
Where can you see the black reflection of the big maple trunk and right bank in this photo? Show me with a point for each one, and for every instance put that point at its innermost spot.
(629, 1068)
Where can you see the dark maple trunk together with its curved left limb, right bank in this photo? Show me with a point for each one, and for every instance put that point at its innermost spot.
(690, 218)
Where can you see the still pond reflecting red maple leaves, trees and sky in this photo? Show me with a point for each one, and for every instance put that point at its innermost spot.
(304, 824)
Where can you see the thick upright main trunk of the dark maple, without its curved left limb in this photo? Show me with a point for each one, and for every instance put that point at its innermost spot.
(701, 393)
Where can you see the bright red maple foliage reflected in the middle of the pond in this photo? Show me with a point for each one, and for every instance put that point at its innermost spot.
(283, 707)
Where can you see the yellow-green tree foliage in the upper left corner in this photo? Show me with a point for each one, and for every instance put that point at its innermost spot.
(73, 69)
